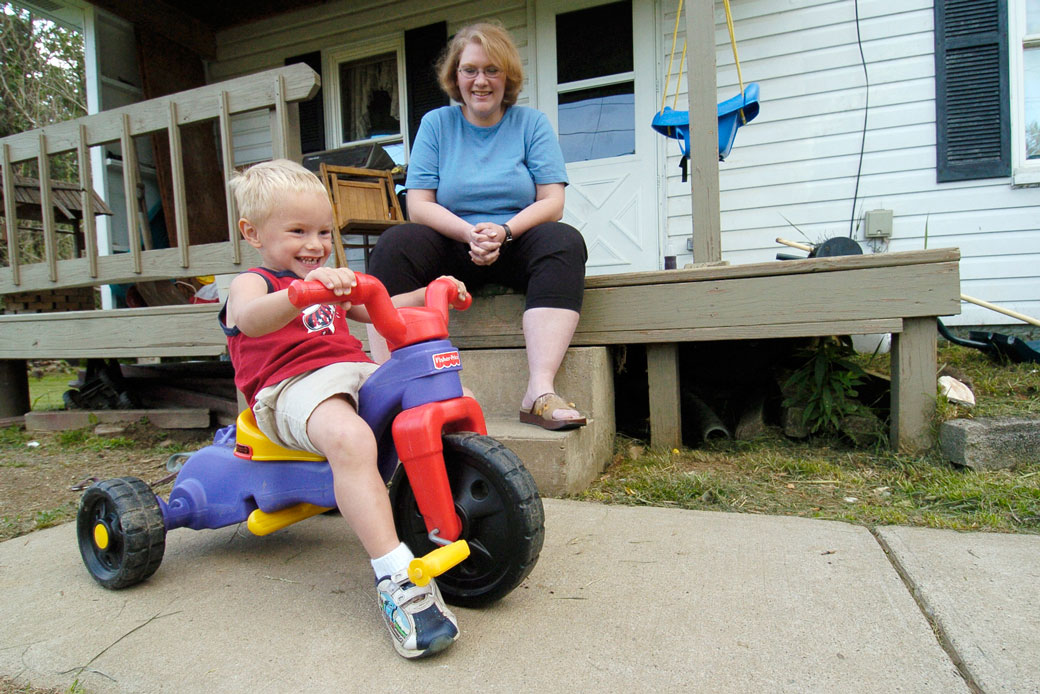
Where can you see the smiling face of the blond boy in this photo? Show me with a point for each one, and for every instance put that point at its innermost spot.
(297, 235)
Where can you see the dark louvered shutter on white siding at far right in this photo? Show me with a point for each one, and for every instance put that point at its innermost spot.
(973, 119)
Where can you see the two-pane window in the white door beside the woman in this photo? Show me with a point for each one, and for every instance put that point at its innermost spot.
(596, 83)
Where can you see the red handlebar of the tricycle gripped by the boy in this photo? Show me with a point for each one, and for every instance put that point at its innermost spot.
(400, 327)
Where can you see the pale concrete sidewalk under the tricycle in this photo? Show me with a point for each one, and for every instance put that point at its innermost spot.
(623, 600)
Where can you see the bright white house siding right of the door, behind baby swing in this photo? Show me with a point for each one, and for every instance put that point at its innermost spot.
(793, 171)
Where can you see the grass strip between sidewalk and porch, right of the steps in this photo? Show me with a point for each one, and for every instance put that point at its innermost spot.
(827, 478)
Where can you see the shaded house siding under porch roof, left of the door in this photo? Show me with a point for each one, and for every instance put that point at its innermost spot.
(267, 44)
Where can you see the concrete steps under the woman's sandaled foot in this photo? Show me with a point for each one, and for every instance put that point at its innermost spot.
(561, 462)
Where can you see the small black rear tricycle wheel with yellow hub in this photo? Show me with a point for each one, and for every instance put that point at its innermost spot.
(121, 532)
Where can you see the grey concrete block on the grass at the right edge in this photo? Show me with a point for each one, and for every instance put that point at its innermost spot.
(991, 444)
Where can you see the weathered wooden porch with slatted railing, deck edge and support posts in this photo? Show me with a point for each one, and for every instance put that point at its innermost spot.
(898, 293)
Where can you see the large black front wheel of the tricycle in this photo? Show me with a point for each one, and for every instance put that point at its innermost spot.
(502, 516)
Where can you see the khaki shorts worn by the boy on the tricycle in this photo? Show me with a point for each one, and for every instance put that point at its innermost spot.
(282, 410)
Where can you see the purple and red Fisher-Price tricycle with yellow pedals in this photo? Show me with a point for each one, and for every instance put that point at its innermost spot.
(462, 502)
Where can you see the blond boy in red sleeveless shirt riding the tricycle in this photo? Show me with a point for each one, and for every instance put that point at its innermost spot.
(301, 372)
